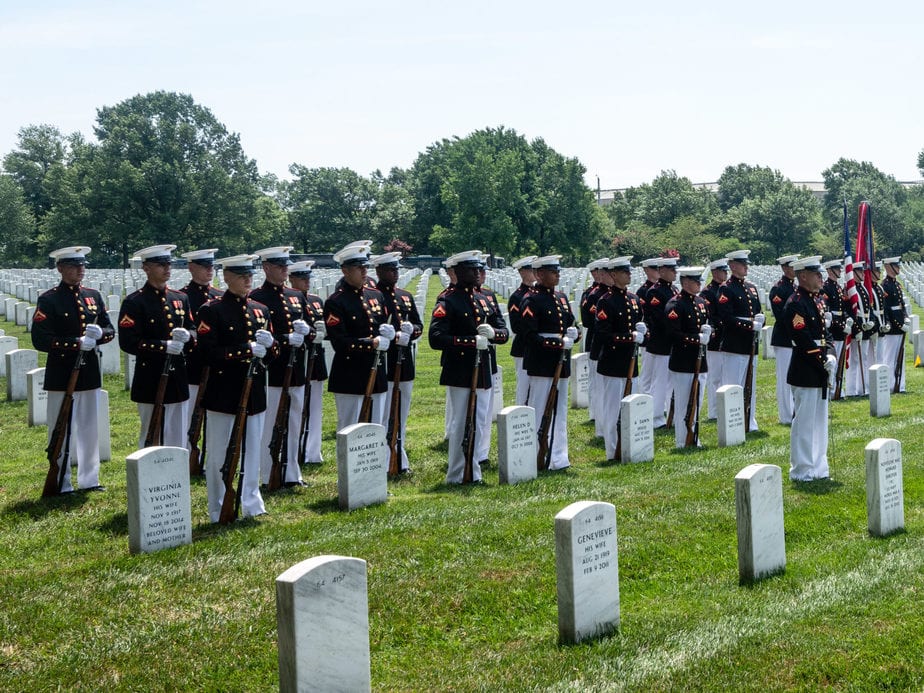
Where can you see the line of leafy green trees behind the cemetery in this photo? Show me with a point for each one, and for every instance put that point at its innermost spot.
(164, 169)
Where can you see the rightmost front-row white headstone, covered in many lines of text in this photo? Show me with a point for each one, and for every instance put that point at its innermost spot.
(885, 504)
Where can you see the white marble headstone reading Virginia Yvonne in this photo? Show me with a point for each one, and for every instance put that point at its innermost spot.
(159, 514)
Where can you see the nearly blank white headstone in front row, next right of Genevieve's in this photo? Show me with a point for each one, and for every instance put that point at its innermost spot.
(759, 511)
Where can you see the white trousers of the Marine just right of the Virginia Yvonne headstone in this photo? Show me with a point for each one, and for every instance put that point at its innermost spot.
(218, 434)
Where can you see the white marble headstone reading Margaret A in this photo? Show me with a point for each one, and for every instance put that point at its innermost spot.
(362, 466)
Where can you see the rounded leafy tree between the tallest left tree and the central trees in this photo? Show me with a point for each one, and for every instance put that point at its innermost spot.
(328, 207)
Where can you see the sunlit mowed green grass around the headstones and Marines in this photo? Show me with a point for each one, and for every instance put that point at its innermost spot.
(462, 580)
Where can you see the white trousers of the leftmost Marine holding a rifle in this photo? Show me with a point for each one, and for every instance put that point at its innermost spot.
(84, 436)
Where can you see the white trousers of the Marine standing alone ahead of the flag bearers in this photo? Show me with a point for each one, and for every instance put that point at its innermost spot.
(808, 451)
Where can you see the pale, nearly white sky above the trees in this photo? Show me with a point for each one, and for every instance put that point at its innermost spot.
(629, 91)
